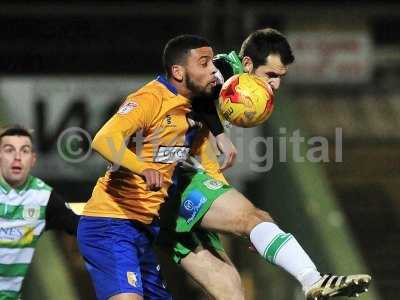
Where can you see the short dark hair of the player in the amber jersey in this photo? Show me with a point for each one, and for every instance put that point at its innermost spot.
(177, 49)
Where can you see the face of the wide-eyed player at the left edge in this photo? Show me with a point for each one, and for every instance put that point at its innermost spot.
(16, 159)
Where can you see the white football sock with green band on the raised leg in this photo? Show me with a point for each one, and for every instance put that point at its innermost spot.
(282, 249)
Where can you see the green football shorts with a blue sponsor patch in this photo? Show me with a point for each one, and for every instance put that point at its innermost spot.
(179, 217)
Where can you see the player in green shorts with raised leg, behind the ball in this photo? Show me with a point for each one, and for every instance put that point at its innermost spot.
(208, 205)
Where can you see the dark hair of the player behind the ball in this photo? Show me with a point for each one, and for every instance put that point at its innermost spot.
(264, 42)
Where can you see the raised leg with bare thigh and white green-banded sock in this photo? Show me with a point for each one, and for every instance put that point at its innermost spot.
(234, 213)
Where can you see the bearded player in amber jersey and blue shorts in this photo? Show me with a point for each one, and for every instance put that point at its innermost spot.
(119, 221)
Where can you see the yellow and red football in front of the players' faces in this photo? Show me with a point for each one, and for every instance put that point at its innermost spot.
(246, 100)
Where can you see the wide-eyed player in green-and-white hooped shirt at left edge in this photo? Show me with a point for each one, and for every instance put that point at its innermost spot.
(28, 207)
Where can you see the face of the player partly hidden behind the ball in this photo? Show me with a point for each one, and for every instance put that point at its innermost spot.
(273, 70)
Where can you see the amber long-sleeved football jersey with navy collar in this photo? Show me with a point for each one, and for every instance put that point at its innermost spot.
(156, 126)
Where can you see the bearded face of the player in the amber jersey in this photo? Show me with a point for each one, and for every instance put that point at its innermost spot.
(200, 72)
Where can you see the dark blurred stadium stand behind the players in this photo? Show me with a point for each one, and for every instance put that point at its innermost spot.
(69, 65)
